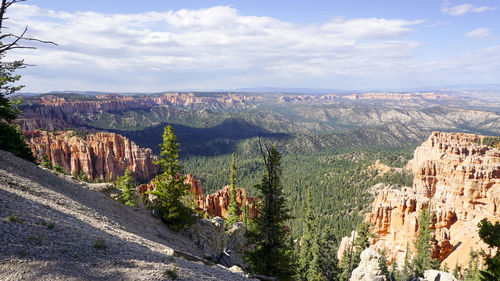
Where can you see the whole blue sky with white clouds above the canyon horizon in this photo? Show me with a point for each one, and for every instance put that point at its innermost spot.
(154, 46)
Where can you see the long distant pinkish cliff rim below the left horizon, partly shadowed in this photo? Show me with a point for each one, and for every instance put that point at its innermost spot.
(57, 113)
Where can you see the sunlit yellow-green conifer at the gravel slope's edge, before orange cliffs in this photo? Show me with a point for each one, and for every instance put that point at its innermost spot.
(172, 194)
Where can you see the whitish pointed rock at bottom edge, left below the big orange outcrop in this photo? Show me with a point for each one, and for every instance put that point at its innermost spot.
(369, 267)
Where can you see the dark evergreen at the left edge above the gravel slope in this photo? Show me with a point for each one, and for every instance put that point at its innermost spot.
(11, 138)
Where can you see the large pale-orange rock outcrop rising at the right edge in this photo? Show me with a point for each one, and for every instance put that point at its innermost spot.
(460, 179)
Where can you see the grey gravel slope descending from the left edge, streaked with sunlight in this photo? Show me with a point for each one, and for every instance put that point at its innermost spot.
(54, 229)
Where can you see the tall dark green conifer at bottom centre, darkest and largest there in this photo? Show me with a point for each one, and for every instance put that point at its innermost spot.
(272, 255)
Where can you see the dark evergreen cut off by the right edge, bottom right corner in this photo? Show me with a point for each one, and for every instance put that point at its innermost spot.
(490, 234)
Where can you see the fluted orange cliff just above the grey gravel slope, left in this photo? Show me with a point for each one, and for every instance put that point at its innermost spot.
(100, 156)
